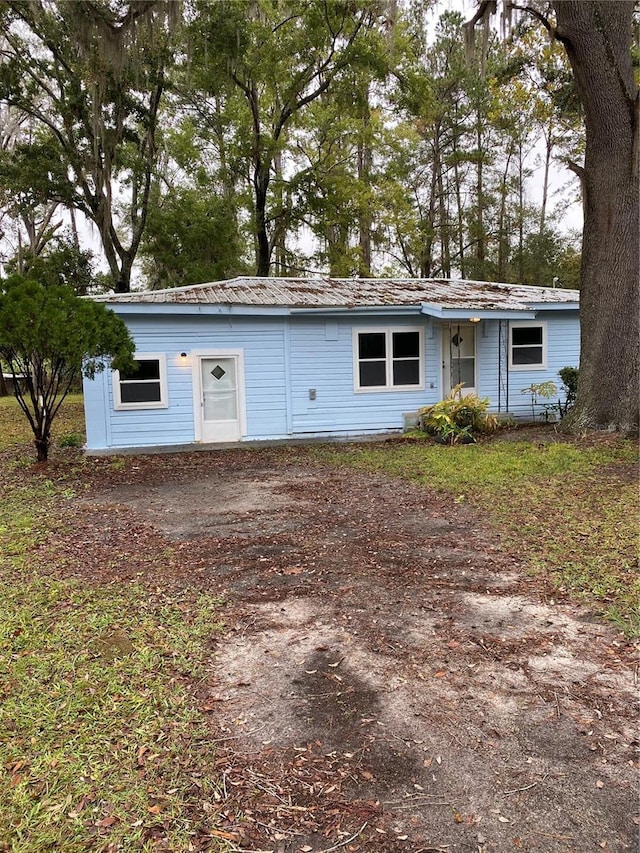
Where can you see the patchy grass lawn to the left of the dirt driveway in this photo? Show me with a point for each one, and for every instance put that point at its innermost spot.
(102, 746)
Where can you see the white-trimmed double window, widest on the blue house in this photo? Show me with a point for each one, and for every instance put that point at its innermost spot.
(386, 359)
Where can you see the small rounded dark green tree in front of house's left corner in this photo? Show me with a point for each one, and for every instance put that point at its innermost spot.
(49, 337)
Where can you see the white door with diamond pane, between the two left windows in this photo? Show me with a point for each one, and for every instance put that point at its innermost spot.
(221, 400)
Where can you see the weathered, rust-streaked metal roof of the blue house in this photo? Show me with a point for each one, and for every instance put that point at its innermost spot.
(344, 293)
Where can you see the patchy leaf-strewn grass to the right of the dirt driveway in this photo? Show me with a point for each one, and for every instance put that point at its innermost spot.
(571, 508)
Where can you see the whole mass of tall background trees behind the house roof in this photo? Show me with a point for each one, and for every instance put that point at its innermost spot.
(208, 139)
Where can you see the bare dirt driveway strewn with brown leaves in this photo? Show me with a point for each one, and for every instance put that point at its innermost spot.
(389, 679)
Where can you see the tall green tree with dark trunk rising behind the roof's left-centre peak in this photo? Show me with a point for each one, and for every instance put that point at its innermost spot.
(264, 65)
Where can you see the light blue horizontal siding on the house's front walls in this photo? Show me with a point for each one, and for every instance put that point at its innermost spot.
(287, 356)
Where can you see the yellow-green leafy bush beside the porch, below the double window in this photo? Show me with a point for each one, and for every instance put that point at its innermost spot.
(455, 419)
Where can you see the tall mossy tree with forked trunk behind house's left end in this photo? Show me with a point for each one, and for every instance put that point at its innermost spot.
(92, 75)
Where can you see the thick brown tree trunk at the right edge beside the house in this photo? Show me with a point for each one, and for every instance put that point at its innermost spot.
(597, 37)
